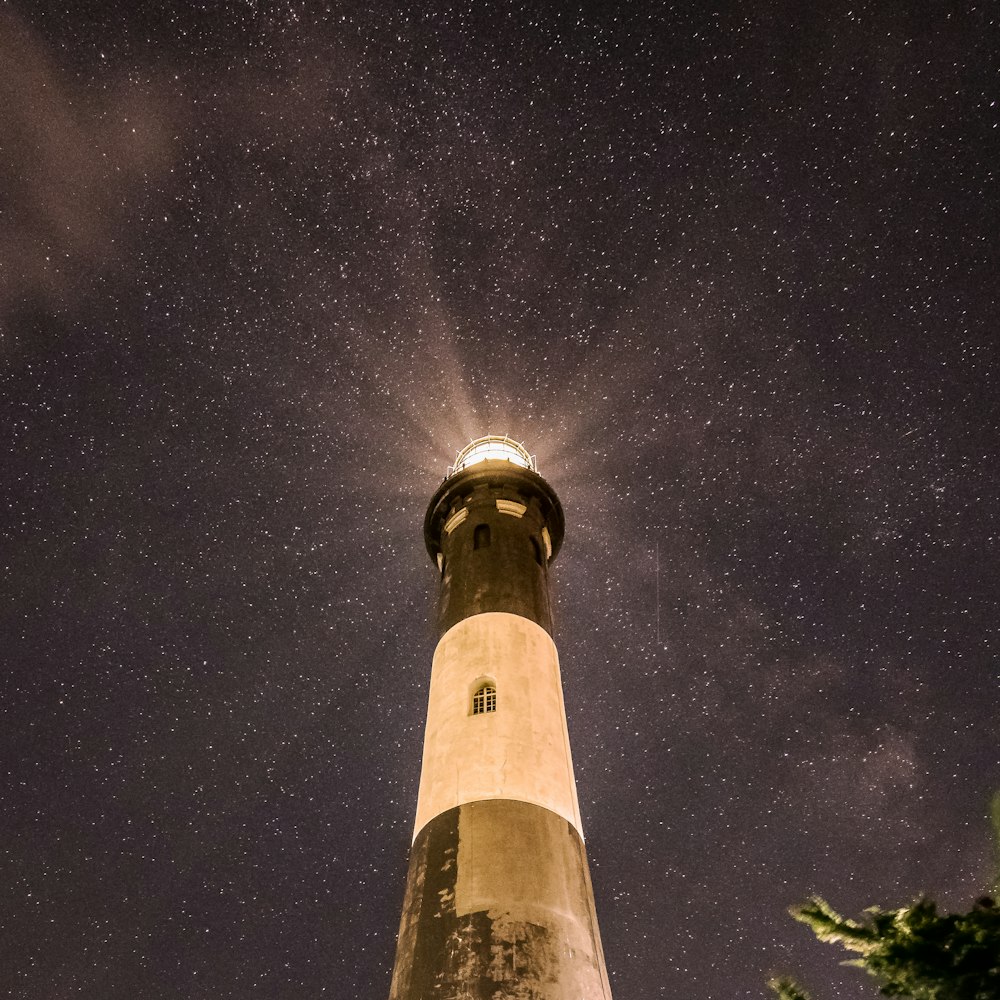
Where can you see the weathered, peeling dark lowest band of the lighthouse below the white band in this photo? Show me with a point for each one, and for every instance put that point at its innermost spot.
(499, 906)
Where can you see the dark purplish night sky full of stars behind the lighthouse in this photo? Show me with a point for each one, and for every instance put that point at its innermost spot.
(729, 271)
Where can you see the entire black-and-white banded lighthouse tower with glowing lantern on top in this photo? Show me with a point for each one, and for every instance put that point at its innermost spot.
(498, 902)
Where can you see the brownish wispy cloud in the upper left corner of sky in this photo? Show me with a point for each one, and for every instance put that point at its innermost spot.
(74, 165)
